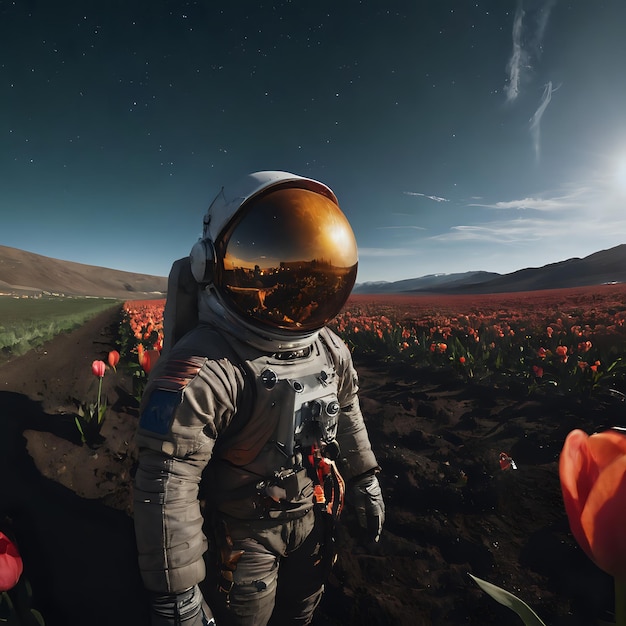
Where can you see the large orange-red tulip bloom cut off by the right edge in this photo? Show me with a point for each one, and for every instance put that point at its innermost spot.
(593, 481)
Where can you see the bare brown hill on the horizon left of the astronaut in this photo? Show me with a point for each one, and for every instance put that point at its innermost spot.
(26, 273)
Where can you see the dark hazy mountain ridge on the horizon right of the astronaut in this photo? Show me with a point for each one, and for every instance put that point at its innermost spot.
(606, 266)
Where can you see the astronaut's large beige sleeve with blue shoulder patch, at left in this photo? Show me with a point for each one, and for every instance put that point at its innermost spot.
(186, 405)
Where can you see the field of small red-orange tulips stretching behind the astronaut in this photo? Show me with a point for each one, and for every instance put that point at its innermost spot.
(568, 340)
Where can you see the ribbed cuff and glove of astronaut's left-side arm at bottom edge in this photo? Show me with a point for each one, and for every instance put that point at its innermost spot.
(186, 608)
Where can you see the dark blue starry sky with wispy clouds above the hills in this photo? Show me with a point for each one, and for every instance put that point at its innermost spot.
(458, 135)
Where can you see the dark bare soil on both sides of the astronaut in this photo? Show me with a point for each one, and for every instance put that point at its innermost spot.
(451, 510)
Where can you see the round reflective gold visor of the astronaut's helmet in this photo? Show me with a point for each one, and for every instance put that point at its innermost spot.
(288, 261)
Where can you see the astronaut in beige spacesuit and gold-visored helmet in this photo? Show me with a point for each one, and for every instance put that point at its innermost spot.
(250, 429)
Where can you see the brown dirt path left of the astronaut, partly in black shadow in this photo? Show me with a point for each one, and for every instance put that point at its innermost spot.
(65, 503)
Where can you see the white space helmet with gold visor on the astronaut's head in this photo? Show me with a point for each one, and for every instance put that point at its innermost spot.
(277, 258)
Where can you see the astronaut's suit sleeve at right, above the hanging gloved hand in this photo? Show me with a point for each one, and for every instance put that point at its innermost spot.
(356, 455)
